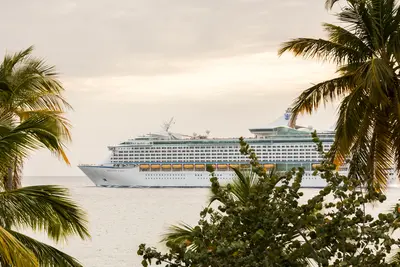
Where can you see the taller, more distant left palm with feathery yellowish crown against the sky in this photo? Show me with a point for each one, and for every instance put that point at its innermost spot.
(30, 88)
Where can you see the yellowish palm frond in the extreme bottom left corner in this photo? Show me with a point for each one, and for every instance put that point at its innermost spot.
(14, 253)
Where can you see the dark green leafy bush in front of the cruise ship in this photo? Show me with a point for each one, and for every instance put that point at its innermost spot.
(273, 228)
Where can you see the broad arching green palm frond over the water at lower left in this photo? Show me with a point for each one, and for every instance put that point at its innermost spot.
(44, 208)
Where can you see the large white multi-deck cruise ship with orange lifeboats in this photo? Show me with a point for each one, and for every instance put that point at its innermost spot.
(169, 159)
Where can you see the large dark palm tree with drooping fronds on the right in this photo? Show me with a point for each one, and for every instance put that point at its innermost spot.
(366, 51)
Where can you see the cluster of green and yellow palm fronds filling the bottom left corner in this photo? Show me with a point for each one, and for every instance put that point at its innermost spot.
(41, 208)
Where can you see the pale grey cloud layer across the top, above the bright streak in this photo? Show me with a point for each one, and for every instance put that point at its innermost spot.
(148, 37)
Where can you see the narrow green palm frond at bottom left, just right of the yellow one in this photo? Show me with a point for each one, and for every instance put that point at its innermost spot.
(47, 256)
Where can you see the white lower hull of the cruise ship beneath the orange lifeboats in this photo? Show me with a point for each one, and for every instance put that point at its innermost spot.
(131, 177)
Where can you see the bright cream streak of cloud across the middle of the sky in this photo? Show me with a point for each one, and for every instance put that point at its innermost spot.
(264, 72)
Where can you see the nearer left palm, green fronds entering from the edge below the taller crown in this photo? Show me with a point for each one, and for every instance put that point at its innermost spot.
(41, 208)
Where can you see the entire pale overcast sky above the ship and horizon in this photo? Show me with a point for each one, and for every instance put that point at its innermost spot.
(130, 65)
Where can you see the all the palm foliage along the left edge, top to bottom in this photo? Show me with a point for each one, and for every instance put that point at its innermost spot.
(41, 208)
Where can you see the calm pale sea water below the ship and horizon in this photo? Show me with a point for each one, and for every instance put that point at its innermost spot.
(122, 218)
